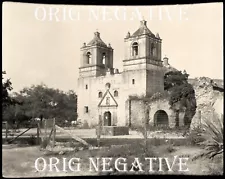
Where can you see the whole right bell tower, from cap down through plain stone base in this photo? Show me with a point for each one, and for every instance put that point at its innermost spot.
(142, 63)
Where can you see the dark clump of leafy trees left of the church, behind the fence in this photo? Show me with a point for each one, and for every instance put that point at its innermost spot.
(41, 101)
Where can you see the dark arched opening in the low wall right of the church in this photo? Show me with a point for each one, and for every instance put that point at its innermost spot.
(161, 118)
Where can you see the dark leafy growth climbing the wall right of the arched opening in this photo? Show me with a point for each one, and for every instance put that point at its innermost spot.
(182, 94)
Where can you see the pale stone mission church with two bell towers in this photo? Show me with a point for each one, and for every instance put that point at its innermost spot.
(103, 91)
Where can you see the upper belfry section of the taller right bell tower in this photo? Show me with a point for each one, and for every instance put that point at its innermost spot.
(143, 47)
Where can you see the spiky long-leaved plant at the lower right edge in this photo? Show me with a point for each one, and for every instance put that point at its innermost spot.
(213, 138)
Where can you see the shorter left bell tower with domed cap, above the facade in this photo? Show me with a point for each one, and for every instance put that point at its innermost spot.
(96, 57)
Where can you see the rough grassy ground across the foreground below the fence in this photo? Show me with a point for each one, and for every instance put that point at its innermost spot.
(18, 161)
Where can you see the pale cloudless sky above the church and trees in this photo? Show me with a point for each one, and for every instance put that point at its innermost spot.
(41, 43)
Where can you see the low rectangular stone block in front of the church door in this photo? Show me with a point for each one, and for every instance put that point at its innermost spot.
(114, 130)
